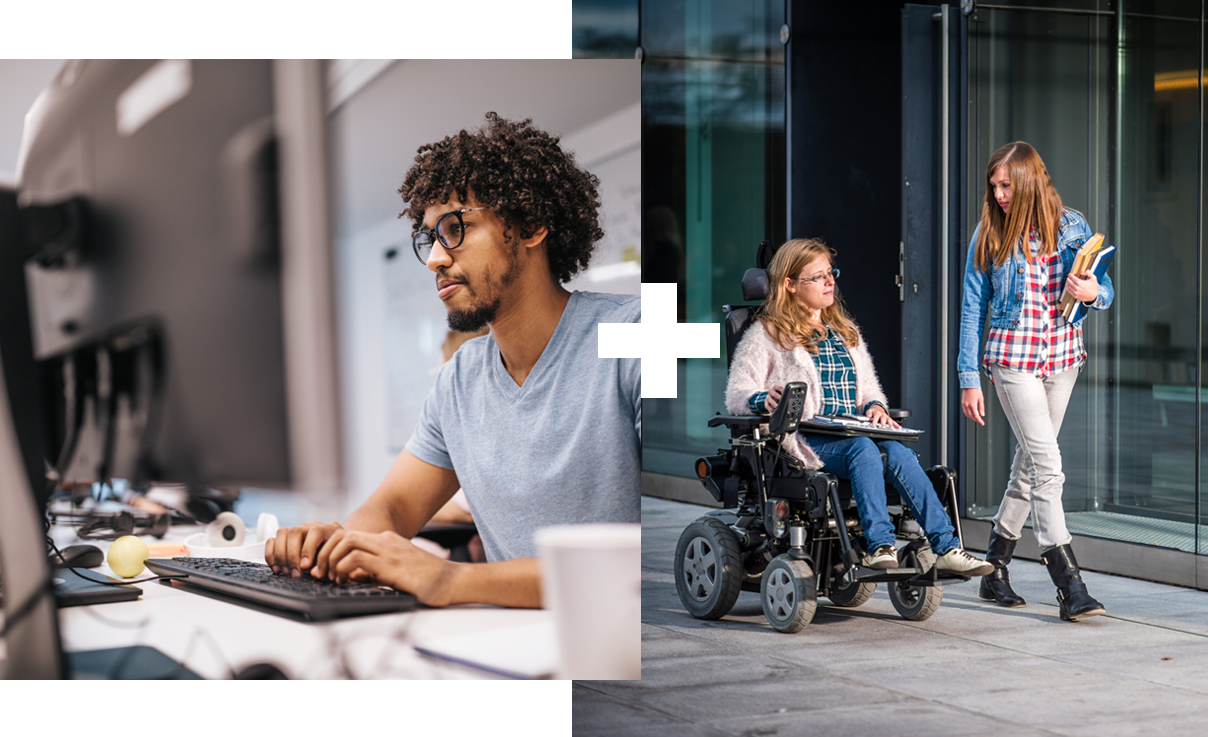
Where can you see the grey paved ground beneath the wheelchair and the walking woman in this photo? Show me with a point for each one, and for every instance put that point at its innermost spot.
(973, 669)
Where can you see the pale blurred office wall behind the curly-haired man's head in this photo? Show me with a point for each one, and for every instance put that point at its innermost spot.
(392, 323)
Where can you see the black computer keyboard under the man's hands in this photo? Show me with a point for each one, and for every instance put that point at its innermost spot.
(258, 585)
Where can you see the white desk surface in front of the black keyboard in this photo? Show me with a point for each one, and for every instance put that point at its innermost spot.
(216, 639)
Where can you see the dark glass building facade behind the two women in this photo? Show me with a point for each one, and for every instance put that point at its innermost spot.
(1111, 94)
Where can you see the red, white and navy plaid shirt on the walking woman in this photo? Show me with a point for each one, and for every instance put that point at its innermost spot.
(1042, 343)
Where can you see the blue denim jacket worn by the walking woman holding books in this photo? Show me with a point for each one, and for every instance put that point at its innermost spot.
(1001, 293)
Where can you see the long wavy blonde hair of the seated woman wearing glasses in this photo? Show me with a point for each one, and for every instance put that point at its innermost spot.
(786, 321)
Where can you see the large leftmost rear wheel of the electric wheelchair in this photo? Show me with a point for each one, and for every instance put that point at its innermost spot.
(708, 568)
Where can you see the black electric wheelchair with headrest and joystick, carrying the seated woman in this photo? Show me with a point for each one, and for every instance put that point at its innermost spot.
(791, 533)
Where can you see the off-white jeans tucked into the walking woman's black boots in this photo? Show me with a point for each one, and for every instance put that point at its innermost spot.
(1036, 409)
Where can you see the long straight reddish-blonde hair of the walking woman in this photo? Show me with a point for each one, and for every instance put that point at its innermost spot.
(1035, 202)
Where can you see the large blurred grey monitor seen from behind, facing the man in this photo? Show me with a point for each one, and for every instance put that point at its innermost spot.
(175, 235)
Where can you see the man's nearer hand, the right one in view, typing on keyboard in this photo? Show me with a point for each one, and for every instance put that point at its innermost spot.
(386, 559)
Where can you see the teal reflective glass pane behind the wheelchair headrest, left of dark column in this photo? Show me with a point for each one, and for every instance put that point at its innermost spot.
(713, 187)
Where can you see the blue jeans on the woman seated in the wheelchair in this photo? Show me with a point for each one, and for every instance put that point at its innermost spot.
(858, 460)
